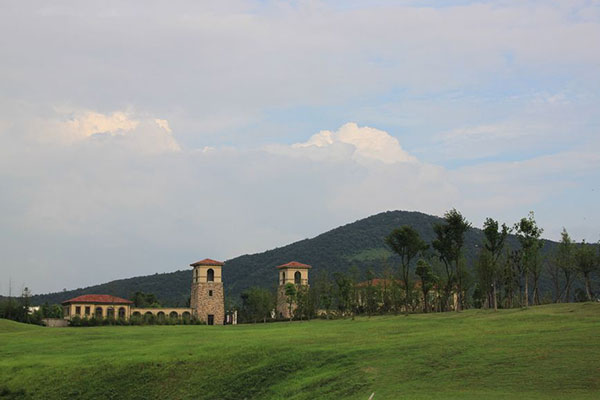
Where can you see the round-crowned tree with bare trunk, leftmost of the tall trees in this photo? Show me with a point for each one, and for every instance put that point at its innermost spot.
(406, 243)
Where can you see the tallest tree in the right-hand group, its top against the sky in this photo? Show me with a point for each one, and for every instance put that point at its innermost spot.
(529, 234)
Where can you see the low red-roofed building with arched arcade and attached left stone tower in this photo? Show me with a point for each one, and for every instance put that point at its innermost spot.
(207, 301)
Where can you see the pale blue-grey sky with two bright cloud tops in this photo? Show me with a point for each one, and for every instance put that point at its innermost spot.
(138, 137)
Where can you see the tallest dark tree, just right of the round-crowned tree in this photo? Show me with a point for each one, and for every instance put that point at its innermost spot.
(449, 243)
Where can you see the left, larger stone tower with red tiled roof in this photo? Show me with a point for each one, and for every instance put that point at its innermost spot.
(207, 299)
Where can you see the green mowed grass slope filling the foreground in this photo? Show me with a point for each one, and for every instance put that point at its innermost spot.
(541, 352)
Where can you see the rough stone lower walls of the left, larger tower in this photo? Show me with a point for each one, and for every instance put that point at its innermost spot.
(204, 305)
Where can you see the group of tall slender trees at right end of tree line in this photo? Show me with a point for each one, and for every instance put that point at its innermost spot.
(516, 272)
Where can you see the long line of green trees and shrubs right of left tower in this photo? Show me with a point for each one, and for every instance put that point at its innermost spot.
(436, 276)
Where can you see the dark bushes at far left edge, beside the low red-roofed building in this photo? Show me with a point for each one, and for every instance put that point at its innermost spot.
(19, 309)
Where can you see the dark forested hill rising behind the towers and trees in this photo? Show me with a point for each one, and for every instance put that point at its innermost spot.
(359, 244)
